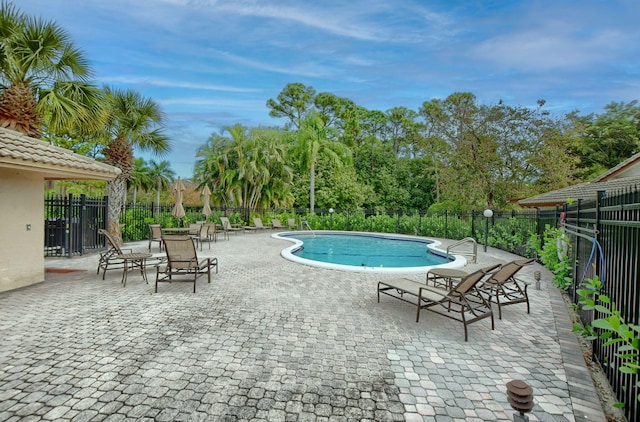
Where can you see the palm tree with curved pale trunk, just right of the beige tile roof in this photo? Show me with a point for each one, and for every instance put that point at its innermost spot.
(131, 121)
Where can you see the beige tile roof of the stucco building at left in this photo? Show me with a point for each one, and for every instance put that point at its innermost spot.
(21, 152)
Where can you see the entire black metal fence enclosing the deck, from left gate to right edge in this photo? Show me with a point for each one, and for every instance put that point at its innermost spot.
(604, 240)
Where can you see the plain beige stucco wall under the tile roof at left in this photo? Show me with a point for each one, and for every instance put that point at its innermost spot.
(21, 250)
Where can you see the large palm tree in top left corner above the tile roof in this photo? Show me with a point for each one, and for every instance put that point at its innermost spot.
(43, 78)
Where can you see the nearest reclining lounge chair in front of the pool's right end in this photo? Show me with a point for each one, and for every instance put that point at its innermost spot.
(464, 302)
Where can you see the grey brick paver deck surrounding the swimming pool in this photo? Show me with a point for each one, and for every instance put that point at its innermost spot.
(272, 340)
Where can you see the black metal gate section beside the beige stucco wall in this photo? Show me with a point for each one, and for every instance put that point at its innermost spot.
(71, 224)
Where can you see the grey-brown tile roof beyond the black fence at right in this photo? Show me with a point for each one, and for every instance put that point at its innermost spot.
(587, 190)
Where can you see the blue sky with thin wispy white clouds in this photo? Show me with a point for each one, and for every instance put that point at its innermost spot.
(213, 63)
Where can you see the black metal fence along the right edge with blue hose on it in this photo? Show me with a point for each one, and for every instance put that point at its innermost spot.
(604, 241)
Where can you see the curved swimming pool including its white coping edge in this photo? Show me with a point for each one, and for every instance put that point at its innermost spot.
(366, 252)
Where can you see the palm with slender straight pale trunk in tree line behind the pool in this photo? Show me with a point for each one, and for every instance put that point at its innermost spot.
(313, 141)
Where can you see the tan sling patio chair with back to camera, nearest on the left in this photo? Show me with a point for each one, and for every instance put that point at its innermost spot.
(183, 263)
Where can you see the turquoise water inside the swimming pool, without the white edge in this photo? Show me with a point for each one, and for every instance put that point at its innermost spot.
(361, 250)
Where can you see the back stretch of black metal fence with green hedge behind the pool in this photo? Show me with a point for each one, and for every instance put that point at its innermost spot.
(508, 230)
